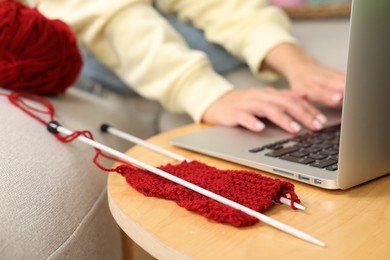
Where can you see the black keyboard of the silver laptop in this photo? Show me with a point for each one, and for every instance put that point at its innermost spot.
(317, 149)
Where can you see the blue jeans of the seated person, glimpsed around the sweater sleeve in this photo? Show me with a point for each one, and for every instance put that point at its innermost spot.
(222, 61)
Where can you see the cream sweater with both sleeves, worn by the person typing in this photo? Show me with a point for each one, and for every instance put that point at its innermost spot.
(132, 39)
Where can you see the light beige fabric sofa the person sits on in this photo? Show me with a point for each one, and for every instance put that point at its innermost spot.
(53, 203)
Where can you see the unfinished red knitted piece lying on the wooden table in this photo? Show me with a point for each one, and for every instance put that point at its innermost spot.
(244, 187)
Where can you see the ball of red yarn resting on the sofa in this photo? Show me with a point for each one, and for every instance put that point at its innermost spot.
(37, 55)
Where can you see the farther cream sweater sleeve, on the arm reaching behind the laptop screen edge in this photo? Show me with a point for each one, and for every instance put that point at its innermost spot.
(249, 29)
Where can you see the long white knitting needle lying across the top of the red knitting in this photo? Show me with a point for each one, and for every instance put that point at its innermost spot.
(53, 126)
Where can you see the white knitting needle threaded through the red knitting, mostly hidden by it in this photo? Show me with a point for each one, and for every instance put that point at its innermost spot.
(109, 129)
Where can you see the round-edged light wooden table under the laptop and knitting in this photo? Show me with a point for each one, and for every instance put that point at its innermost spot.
(355, 224)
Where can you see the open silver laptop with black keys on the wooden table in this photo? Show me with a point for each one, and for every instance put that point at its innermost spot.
(355, 145)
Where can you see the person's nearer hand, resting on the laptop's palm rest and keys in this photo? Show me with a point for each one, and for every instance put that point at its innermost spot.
(285, 108)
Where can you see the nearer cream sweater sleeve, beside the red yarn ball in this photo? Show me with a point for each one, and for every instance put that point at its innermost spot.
(132, 39)
